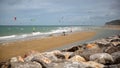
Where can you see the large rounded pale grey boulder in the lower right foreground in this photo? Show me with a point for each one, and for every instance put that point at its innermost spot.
(103, 58)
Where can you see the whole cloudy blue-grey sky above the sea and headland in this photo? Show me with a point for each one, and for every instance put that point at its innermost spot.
(58, 12)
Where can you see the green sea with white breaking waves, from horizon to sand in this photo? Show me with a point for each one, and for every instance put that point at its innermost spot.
(10, 33)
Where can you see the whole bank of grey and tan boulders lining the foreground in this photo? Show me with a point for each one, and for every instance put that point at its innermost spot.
(102, 53)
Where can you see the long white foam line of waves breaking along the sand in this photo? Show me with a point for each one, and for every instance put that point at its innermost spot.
(34, 34)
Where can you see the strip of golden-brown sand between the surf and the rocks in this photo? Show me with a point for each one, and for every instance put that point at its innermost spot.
(21, 47)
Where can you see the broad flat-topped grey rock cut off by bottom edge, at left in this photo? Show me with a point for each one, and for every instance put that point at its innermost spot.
(25, 65)
